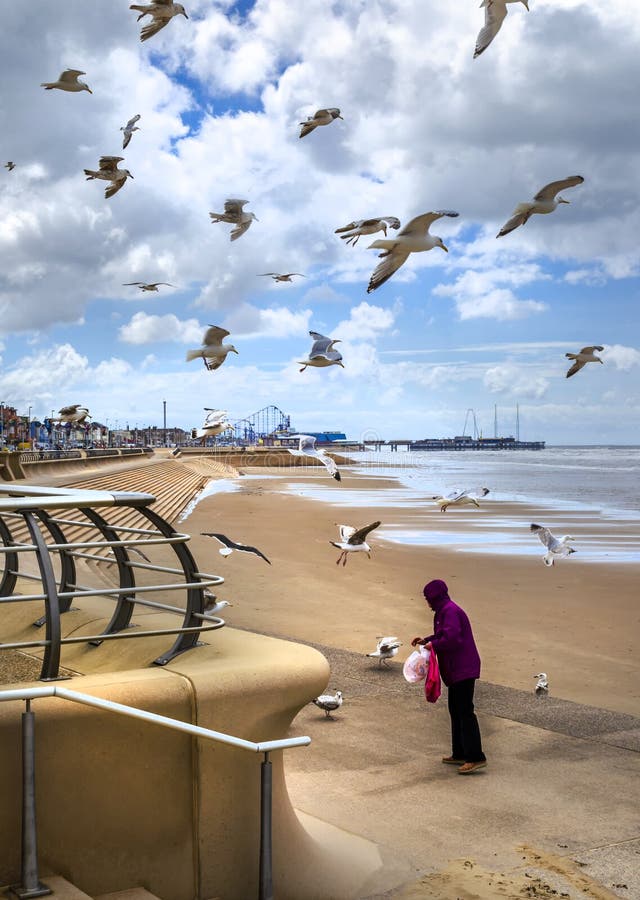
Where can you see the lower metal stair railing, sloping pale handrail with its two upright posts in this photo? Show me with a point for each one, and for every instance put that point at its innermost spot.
(30, 885)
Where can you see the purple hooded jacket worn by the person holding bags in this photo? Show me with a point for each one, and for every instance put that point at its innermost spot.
(452, 637)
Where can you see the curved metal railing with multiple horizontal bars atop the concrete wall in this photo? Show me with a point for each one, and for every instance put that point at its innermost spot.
(32, 522)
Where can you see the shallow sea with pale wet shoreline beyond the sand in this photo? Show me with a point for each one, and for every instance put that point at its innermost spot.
(590, 492)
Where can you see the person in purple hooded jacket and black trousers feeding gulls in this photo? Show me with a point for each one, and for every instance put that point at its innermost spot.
(459, 664)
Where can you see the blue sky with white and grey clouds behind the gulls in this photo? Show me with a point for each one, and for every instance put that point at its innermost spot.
(426, 127)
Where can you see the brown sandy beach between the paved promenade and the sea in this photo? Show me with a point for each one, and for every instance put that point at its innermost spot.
(577, 621)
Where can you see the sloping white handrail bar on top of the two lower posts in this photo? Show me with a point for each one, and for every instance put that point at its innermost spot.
(154, 718)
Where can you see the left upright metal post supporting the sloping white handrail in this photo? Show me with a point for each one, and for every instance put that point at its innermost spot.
(30, 886)
